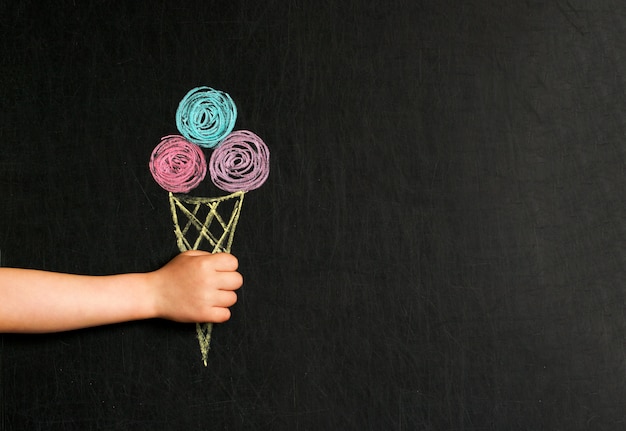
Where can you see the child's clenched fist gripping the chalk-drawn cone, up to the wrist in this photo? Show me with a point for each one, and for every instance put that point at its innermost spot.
(196, 286)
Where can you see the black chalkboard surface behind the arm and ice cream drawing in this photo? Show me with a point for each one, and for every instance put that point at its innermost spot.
(439, 246)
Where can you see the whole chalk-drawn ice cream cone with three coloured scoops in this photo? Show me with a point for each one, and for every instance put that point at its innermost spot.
(239, 163)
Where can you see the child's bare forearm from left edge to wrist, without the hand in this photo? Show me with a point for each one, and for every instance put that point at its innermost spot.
(40, 301)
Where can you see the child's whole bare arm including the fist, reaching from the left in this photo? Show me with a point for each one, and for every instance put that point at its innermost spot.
(195, 286)
